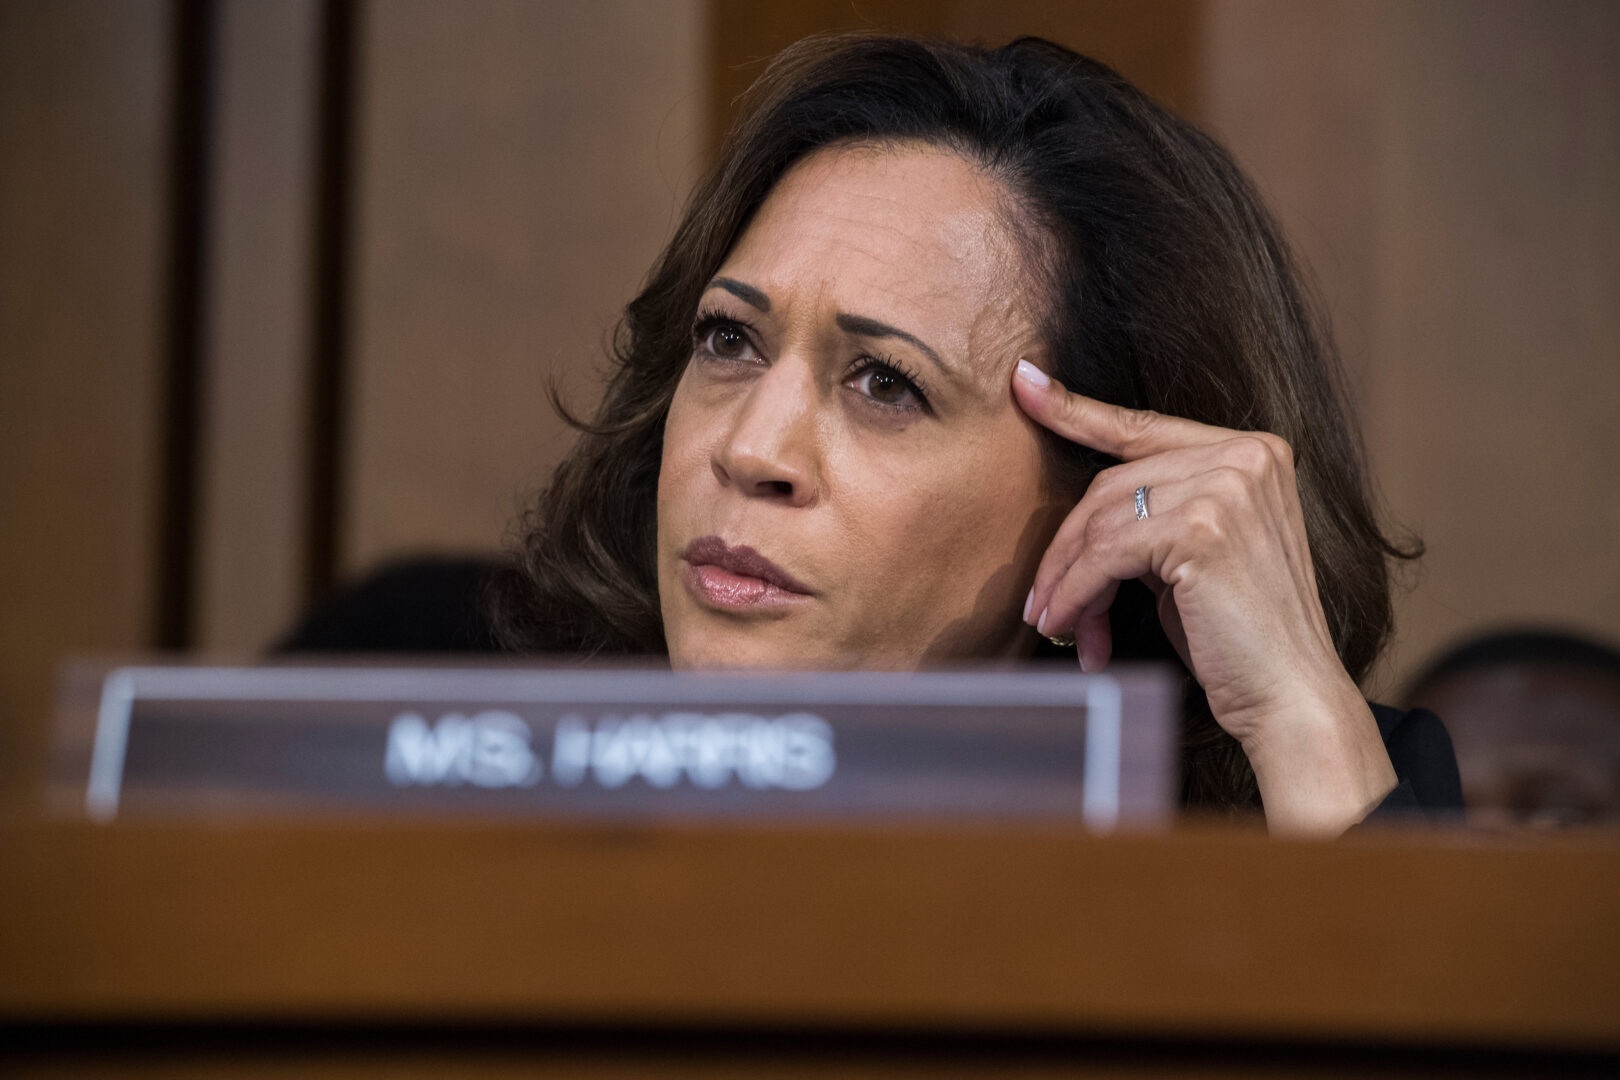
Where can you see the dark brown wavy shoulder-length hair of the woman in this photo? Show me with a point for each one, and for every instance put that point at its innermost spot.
(1169, 289)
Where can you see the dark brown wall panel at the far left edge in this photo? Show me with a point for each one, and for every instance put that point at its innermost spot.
(85, 96)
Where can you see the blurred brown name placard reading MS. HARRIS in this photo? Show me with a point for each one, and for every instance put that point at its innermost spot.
(637, 744)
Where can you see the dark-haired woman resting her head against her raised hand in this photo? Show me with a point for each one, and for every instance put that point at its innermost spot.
(961, 351)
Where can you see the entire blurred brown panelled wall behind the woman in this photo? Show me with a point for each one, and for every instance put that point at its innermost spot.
(283, 286)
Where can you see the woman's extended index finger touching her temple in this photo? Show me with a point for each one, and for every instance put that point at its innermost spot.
(1120, 433)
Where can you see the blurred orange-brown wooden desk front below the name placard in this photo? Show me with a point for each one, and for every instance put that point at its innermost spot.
(759, 950)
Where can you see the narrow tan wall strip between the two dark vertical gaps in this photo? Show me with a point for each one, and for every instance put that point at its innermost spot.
(252, 514)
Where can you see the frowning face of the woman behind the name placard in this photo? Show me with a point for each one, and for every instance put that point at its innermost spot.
(846, 478)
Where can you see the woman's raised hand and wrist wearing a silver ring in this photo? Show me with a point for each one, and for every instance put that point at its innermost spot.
(1224, 550)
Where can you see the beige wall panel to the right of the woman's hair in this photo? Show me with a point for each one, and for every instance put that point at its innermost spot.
(1452, 172)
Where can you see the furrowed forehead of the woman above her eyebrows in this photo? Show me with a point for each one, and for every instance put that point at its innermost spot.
(913, 236)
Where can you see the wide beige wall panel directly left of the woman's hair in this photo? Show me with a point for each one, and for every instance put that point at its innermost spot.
(521, 164)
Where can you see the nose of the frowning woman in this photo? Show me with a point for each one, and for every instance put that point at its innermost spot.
(770, 449)
